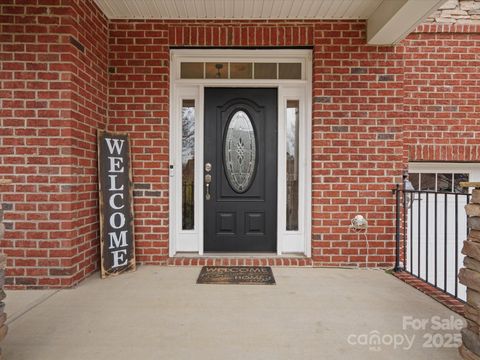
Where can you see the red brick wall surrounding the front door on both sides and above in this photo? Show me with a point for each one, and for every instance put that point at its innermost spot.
(357, 105)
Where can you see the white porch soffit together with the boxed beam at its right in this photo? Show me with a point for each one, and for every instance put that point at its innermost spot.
(389, 21)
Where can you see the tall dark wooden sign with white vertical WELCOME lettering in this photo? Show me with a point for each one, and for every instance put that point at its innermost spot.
(117, 245)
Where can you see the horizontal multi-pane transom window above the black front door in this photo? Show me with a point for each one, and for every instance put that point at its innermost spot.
(242, 70)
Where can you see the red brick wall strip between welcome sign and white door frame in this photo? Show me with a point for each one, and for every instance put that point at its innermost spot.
(138, 98)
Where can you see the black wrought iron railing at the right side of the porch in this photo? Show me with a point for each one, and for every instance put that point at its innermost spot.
(430, 229)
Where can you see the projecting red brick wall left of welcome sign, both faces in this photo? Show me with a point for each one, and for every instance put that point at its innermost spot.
(53, 99)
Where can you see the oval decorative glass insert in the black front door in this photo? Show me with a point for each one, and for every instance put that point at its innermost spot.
(240, 153)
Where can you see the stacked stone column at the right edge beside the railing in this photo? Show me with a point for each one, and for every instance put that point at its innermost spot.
(470, 277)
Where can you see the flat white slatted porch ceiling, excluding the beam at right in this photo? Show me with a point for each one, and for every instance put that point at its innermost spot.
(238, 9)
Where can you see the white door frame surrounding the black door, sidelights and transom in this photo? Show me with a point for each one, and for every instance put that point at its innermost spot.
(191, 241)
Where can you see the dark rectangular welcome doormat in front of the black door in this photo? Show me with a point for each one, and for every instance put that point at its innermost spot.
(238, 275)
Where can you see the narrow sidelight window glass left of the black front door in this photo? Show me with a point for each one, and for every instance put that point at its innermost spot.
(188, 163)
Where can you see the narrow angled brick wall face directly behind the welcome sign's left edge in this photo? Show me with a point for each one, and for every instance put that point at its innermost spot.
(89, 113)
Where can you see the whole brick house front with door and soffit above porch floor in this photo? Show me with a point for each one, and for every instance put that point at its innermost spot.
(303, 116)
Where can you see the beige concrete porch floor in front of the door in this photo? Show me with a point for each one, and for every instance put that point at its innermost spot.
(161, 313)
